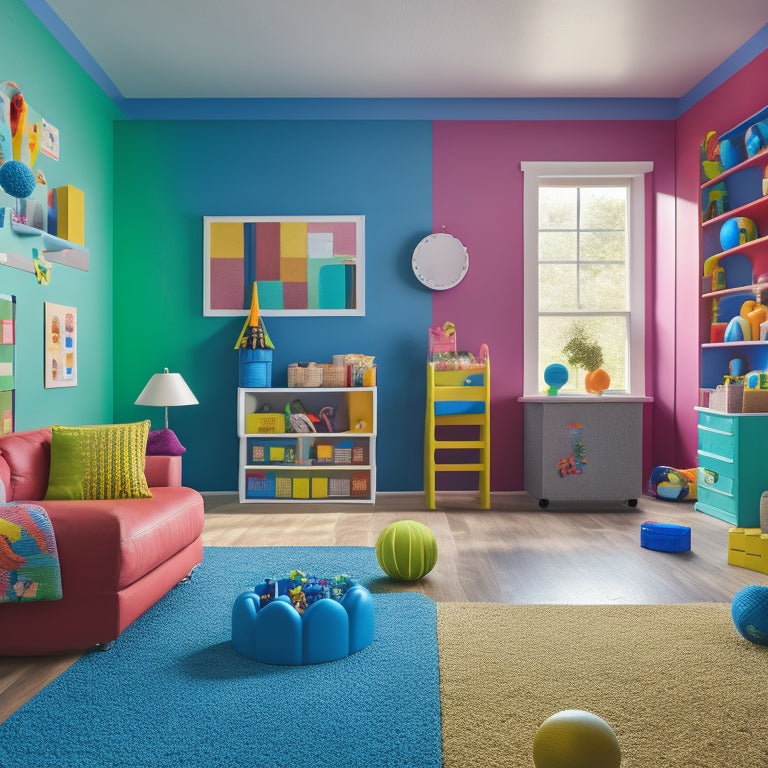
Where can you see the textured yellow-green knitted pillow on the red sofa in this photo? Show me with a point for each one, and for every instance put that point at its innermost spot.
(98, 462)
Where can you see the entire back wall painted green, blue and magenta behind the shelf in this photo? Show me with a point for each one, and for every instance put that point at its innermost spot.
(388, 171)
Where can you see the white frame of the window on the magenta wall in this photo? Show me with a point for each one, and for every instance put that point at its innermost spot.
(592, 174)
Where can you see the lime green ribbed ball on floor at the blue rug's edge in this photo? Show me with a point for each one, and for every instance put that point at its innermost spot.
(406, 550)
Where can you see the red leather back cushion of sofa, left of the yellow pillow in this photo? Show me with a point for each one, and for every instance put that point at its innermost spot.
(28, 455)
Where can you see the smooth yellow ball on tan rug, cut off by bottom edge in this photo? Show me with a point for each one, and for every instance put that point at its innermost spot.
(575, 738)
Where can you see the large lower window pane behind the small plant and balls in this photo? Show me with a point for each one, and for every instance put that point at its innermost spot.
(609, 332)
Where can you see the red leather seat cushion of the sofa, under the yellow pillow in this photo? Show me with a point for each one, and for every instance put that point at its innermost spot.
(106, 545)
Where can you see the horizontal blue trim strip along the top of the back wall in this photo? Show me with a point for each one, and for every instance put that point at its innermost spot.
(398, 109)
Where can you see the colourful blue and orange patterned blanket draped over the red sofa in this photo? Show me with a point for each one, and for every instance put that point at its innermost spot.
(29, 562)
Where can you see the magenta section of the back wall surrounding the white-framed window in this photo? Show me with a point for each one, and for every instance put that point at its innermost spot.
(478, 197)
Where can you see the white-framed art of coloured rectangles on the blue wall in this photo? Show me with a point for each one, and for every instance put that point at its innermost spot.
(303, 265)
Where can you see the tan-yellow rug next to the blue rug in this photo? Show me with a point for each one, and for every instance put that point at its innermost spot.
(677, 683)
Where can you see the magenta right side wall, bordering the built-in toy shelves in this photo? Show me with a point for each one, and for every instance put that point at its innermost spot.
(735, 100)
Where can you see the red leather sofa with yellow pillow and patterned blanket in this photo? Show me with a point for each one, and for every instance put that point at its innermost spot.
(117, 557)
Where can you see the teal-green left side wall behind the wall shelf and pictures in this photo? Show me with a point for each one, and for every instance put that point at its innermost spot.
(56, 87)
